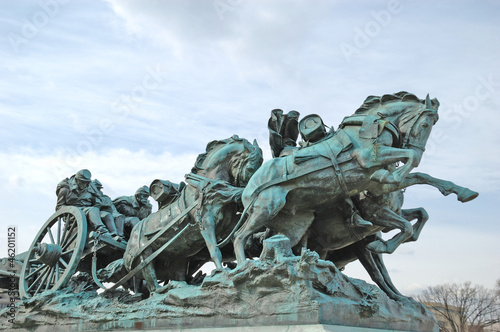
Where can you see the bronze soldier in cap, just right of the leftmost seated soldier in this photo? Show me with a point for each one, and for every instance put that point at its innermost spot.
(134, 208)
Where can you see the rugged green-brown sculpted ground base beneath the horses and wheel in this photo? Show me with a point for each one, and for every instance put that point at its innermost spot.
(278, 292)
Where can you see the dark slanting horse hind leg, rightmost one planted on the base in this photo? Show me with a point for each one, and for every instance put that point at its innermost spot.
(368, 261)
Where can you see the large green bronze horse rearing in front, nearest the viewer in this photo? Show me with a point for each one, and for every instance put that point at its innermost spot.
(286, 194)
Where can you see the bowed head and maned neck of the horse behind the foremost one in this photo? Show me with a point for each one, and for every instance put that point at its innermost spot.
(234, 160)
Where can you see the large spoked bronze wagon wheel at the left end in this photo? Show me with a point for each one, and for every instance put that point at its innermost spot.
(54, 255)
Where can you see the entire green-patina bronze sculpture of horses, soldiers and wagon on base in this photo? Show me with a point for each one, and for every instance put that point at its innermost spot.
(318, 205)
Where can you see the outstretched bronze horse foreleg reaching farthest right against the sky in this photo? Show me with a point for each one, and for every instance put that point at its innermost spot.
(445, 187)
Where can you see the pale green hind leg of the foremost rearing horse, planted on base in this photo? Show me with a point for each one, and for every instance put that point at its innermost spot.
(265, 208)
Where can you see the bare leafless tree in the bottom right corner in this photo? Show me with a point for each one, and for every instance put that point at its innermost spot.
(464, 307)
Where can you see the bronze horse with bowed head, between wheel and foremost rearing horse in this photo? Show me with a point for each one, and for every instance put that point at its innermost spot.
(211, 200)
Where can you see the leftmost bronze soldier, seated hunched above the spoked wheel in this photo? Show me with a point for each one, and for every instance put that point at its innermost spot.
(75, 191)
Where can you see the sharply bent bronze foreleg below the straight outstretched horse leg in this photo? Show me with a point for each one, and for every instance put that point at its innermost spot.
(385, 217)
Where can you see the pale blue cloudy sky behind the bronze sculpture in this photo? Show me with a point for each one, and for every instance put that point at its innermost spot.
(133, 91)
